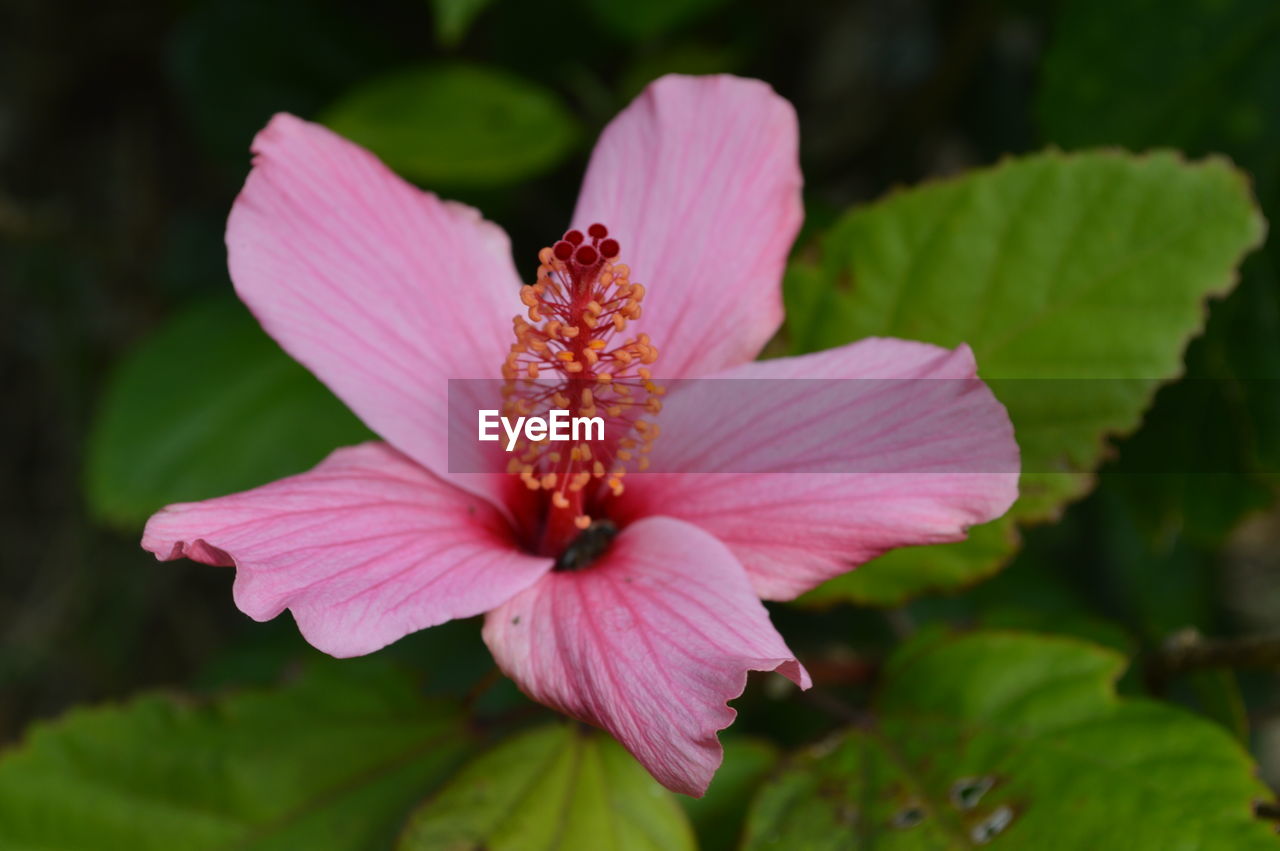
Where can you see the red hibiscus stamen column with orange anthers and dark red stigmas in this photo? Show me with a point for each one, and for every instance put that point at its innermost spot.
(573, 354)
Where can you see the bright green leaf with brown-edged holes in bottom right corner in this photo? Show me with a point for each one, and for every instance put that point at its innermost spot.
(1020, 742)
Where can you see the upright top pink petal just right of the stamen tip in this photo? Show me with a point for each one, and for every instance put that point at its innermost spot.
(700, 180)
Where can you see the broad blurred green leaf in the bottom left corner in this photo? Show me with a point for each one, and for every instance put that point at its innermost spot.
(332, 762)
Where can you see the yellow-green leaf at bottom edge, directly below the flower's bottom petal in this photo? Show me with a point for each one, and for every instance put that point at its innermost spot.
(556, 788)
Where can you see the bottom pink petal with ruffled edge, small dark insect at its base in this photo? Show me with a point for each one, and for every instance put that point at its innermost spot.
(650, 643)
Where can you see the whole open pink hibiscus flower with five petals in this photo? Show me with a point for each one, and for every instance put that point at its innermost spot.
(647, 623)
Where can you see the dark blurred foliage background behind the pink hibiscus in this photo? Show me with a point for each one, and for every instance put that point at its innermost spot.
(124, 140)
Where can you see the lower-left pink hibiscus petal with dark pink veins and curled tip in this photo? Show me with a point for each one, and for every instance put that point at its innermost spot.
(364, 550)
